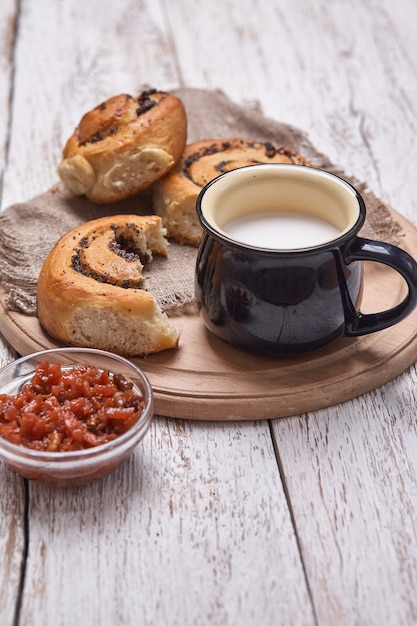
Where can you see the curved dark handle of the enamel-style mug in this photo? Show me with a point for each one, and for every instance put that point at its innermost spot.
(360, 249)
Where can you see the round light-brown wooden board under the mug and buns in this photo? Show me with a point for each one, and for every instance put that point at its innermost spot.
(205, 379)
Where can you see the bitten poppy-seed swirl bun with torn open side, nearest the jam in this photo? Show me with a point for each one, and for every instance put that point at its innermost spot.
(90, 288)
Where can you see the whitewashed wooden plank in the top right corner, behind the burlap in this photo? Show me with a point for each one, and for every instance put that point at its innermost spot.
(342, 72)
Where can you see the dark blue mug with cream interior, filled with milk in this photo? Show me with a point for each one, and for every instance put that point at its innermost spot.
(279, 265)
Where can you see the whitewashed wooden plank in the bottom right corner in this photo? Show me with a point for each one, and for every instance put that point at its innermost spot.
(354, 498)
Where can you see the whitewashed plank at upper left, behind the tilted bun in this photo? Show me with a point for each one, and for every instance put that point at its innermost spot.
(71, 57)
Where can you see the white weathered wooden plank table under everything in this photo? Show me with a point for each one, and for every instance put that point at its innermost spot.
(309, 520)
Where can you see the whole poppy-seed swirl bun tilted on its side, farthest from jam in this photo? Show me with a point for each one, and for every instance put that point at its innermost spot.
(124, 145)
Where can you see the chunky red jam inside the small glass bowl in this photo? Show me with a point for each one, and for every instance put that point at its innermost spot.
(60, 410)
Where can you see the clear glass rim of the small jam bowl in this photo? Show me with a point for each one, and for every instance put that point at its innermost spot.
(141, 426)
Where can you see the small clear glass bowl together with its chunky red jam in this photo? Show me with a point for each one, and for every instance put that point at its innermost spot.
(69, 416)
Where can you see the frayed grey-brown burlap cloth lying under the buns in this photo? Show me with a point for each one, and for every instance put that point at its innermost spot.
(28, 230)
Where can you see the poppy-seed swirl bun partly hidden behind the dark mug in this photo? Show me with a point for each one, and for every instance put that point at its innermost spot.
(175, 195)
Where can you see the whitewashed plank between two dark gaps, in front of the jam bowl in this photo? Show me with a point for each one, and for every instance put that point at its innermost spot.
(194, 530)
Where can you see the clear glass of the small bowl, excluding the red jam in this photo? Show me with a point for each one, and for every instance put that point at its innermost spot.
(81, 466)
